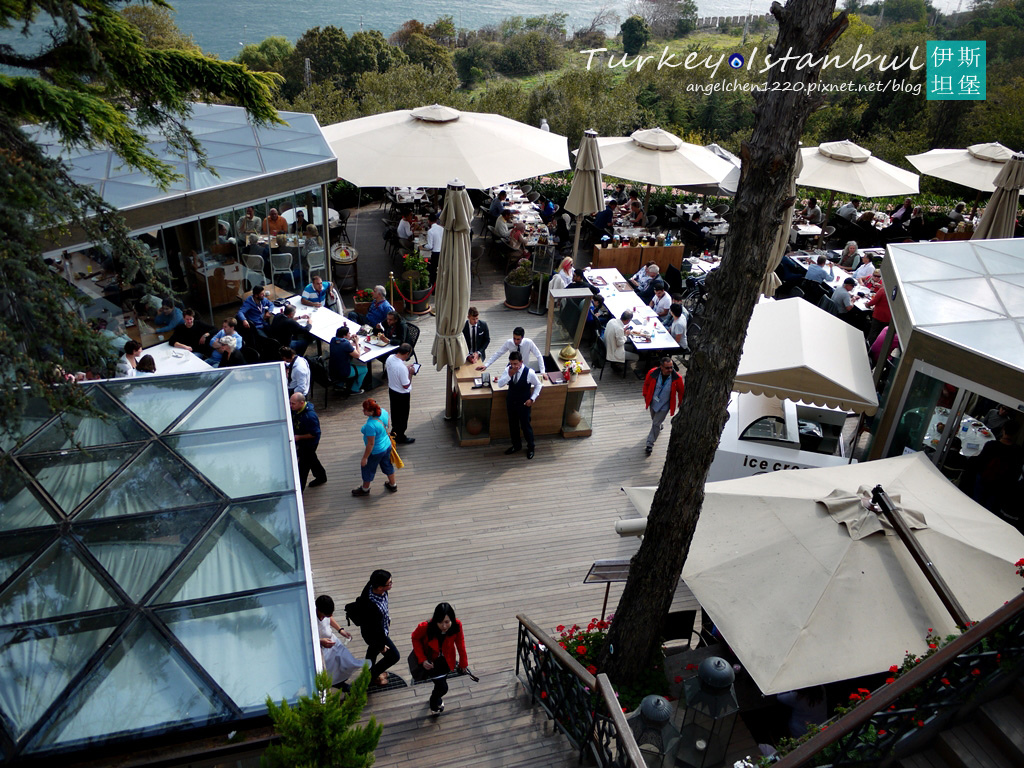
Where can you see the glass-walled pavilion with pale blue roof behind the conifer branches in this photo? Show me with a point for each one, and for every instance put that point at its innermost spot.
(286, 167)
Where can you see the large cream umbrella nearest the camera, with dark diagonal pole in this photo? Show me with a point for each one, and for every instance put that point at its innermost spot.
(808, 587)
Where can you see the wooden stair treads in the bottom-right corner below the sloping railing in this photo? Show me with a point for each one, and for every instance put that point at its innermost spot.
(994, 739)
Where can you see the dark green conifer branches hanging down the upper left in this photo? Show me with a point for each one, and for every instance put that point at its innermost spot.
(92, 82)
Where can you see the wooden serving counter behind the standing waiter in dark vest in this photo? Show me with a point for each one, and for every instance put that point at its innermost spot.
(565, 408)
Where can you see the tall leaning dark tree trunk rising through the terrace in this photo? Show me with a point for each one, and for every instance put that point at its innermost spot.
(763, 197)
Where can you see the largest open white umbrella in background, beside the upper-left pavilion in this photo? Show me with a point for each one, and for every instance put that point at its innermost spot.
(429, 146)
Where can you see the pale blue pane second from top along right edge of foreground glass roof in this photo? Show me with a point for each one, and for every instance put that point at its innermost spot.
(243, 462)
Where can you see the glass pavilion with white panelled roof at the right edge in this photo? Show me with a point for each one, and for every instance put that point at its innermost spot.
(959, 313)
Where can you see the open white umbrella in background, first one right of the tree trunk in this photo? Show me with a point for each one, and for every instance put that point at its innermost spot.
(845, 167)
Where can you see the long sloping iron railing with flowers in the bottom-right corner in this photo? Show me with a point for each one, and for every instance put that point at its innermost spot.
(903, 717)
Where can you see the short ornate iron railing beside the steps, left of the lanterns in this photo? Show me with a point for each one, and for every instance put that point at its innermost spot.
(582, 706)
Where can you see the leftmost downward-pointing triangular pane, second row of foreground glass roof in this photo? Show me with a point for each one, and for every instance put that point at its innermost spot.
(70, 477)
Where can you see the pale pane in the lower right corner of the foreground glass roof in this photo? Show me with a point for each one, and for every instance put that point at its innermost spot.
(263, 636)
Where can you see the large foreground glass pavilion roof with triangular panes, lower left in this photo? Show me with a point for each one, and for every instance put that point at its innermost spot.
(152, 561)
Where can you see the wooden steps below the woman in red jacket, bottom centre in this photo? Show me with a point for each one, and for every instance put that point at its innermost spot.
(490, 723)
